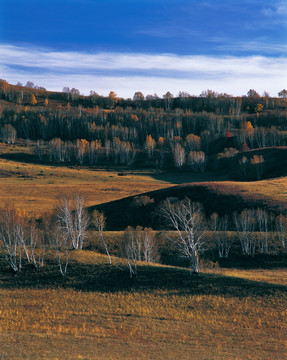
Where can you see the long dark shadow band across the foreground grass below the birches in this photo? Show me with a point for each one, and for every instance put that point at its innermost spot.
(115, 278)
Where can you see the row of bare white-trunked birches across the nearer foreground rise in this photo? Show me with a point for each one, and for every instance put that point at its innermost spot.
(188, 232)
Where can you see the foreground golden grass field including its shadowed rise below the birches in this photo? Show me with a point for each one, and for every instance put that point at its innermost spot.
(97, 312)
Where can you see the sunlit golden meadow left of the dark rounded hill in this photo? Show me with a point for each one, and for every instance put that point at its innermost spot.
(37, 188)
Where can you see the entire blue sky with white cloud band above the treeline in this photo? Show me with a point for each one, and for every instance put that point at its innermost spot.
(152, 46)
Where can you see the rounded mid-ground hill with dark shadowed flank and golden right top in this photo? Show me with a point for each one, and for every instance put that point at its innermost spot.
(221, 197)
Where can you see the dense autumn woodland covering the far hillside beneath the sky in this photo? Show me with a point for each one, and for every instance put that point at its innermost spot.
(186, 132)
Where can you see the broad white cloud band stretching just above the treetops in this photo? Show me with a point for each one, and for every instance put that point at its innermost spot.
(127, 73)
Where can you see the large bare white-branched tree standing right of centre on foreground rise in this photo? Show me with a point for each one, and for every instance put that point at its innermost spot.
(187, 219)
